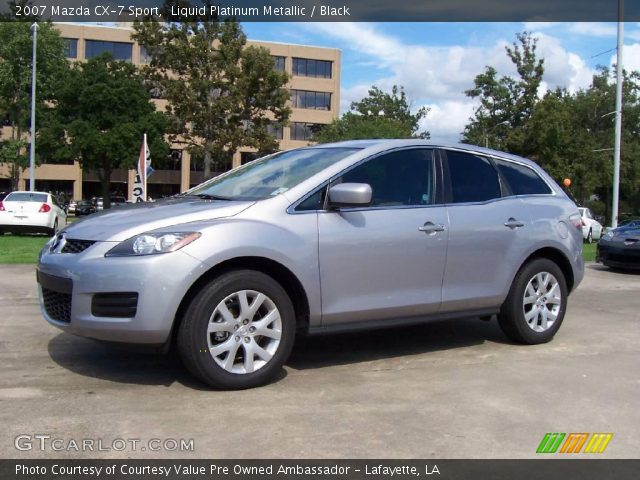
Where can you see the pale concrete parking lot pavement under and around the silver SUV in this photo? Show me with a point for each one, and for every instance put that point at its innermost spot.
(442, 390)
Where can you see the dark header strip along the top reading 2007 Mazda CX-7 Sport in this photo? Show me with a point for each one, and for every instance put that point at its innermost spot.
(328, 10)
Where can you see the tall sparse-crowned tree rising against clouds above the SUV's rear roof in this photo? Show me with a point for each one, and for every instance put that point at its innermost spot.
(506, 103)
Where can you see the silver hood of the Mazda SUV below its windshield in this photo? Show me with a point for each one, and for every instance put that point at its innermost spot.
(123, 222)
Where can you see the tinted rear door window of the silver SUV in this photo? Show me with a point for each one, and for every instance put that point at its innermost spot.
(473, 178)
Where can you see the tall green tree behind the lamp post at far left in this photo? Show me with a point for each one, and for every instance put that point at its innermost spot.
(15, 83)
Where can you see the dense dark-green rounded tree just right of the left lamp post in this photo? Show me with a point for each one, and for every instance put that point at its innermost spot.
(103, 110)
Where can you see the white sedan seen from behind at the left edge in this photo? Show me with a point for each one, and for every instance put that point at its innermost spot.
(31, 212)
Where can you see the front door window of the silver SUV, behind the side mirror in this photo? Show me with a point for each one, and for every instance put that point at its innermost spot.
(401, 178)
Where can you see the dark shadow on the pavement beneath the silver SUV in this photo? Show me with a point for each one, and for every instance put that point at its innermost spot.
(130, 365)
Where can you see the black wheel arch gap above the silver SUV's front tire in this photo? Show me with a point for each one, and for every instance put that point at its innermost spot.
(281, 274)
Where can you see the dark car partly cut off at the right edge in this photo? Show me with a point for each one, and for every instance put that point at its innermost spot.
(620, 247)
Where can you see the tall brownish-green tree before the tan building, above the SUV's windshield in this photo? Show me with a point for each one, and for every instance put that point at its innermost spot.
(222, 95)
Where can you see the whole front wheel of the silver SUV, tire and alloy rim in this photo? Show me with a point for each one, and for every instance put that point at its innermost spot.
(238, 331)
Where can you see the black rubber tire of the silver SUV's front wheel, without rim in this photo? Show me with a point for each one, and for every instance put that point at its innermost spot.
(192, 334)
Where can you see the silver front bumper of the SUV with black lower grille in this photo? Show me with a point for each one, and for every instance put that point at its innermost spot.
(70, 283)
